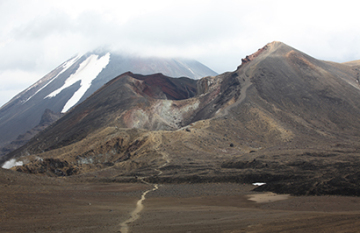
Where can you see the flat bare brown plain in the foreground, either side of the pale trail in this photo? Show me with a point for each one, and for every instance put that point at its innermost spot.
(102, 207)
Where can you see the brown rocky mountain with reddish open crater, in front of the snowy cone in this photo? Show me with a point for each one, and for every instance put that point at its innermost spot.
(282, 117)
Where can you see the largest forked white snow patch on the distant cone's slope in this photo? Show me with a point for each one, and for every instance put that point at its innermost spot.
(87, 71)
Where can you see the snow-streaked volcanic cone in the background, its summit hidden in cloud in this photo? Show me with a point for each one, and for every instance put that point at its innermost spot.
(75, 80)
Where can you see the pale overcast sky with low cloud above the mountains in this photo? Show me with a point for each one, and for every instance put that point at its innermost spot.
(38, 35)
